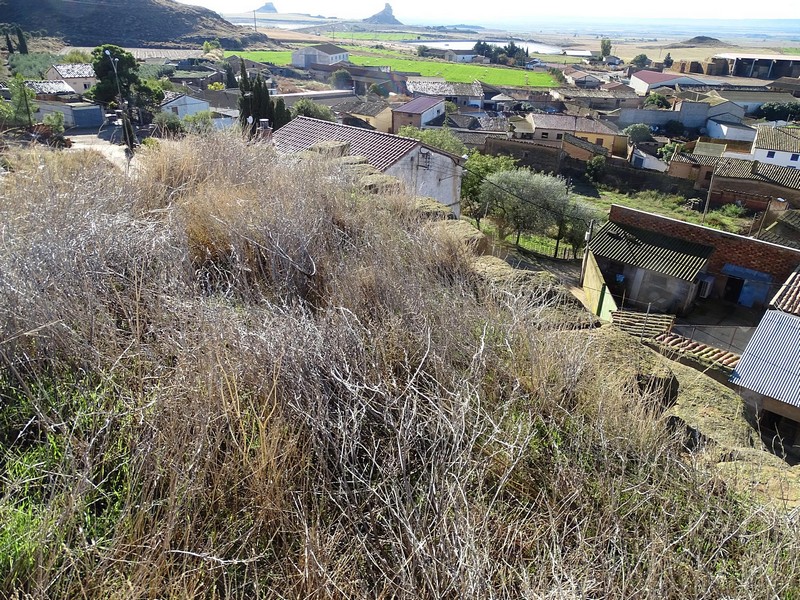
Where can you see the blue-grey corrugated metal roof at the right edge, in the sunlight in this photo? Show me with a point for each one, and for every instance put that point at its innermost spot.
(770, 364)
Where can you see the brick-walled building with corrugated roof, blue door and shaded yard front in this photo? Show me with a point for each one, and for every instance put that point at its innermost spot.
(704, 262)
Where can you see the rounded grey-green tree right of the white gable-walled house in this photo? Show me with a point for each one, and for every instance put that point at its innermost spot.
(522, 201)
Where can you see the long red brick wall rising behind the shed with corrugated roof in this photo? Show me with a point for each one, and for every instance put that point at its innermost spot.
(728, 247)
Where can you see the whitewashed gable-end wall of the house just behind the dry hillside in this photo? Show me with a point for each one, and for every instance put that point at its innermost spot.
(429, 173)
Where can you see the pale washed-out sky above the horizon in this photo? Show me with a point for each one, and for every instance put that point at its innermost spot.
(471, 11)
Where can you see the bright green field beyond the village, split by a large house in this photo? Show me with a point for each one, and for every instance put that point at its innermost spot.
(455, 72)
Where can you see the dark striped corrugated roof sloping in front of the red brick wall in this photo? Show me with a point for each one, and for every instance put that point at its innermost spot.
(650, 250)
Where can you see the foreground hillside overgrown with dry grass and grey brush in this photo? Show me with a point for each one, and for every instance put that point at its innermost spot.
(238, 376)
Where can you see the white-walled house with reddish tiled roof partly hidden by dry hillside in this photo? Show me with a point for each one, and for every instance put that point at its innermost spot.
(425, 171)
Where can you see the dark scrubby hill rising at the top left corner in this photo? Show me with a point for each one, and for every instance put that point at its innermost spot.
(163, 23)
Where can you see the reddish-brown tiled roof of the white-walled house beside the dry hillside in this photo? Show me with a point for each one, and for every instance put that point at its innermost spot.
(382, 150)
